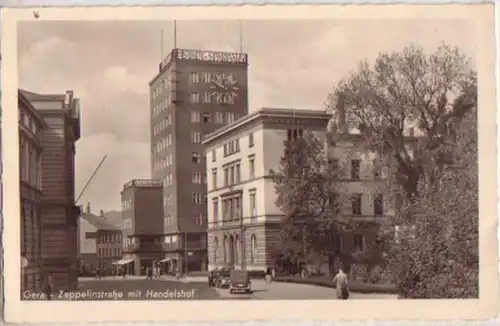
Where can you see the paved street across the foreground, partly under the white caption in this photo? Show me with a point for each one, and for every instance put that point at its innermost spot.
(197, 288)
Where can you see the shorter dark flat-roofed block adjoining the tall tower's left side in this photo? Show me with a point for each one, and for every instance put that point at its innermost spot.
(142, 228)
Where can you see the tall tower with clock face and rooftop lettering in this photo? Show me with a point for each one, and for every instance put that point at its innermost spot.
(194, 93)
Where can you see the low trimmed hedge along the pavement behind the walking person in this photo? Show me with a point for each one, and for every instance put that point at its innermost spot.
(354, 286)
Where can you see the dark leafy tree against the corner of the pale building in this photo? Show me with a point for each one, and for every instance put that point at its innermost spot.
(306, 194)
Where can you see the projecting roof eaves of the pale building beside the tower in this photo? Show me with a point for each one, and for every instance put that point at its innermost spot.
(268, 112)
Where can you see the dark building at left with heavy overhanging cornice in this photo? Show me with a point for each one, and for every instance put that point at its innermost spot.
(61, 113)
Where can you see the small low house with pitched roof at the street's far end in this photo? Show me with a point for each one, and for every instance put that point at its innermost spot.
(100, 243)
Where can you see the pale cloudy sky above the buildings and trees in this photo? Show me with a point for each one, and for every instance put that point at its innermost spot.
(108, 64)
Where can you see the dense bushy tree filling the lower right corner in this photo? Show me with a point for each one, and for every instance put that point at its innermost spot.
(440, 258)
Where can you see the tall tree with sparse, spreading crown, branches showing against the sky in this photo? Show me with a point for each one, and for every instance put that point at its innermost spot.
(402, 90)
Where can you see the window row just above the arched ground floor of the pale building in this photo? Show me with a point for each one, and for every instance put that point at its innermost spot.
(232, 208)
